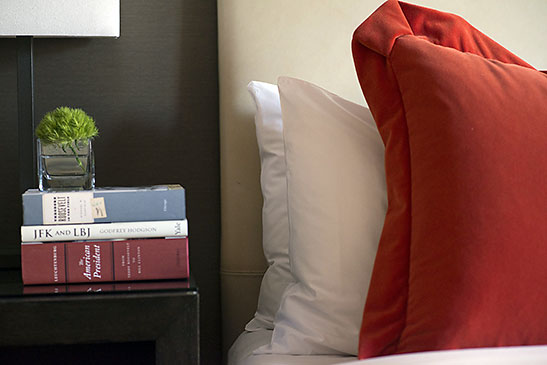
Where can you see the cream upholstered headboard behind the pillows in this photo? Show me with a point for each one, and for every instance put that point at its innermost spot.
(309, 39)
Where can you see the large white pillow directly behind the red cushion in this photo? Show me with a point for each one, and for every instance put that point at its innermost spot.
(337, 202)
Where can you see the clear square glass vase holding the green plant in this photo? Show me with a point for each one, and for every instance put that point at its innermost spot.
(68, 168)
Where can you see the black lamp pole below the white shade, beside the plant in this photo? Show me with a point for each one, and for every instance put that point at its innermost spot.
(25, 112)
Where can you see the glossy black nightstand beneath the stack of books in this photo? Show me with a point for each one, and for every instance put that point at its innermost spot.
(144, 322)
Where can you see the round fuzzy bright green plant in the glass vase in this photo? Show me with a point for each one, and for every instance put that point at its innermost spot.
(64, 127)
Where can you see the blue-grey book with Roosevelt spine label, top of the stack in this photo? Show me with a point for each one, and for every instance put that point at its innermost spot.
(104, 205)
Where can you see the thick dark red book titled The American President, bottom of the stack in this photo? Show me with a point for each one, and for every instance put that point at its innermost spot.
(100, 261)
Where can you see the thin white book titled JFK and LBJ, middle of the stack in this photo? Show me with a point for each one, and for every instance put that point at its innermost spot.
(104, 231)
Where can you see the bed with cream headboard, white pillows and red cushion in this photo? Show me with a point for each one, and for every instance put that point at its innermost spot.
(321, 198)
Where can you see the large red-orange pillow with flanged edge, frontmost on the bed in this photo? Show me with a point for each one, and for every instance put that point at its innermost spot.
(462, 260)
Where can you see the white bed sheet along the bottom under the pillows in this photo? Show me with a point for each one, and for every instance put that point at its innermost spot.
(241, 353)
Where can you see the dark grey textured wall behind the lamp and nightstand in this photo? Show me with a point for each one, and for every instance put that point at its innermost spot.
(154, 95)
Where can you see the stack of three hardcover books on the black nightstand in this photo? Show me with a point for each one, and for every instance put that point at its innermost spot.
(104, 235)
